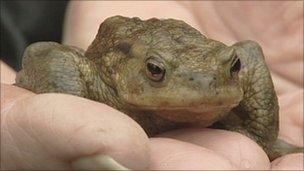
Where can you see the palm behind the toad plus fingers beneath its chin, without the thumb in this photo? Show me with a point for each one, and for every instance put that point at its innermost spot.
(274, 27)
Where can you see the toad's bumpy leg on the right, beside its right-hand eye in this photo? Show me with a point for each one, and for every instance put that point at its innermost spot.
(258, 112)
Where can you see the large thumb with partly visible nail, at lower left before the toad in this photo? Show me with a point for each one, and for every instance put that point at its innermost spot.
(56, 131)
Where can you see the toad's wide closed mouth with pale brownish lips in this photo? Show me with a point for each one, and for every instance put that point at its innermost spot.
(193, 103)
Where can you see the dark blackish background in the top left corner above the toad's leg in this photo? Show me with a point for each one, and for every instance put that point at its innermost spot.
(24, 22)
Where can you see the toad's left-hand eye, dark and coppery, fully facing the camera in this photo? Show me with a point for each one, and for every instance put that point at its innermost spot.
(155, 70)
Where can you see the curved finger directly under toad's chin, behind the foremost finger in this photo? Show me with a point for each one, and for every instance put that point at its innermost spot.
(244, 153)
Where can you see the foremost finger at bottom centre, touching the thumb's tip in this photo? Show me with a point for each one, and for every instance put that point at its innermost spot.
(169, 154)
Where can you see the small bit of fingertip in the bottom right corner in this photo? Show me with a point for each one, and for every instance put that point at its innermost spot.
(288, 162)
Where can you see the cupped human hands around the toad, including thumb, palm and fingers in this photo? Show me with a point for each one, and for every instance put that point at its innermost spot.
(52, 129)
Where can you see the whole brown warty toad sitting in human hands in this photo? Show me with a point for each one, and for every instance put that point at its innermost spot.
(164, 74)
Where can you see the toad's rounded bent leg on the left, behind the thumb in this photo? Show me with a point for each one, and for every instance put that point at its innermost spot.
(49, 67)
